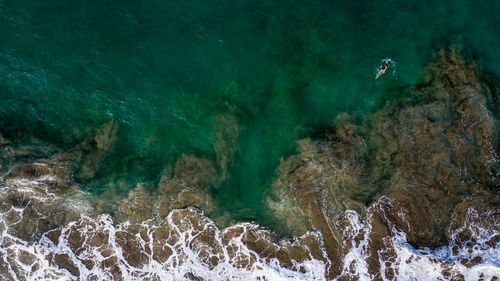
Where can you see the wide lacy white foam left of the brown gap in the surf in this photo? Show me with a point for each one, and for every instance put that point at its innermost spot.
(93, 250)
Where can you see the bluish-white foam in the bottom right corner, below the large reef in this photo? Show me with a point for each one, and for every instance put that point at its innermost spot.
(403, 262)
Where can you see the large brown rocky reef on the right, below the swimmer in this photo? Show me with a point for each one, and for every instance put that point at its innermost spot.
(428, 148)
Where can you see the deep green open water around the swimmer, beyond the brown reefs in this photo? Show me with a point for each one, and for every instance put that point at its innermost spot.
(165, 69)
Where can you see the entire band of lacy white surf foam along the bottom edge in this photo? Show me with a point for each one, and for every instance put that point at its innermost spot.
(187, 245)
